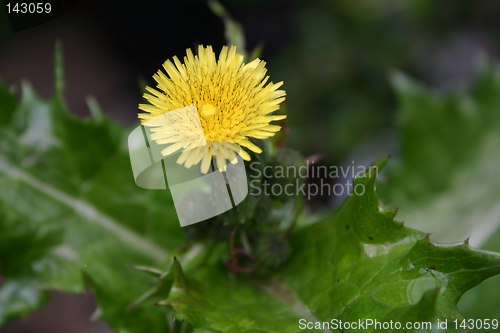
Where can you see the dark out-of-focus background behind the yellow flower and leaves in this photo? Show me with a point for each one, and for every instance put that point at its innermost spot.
(334, 56)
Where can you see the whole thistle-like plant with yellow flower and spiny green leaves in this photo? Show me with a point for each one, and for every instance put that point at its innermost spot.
(72, 219)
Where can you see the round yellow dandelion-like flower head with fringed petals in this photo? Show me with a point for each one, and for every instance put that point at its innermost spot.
(233, 100)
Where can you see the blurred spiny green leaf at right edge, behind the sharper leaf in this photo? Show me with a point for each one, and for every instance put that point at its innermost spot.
(447, 170)
